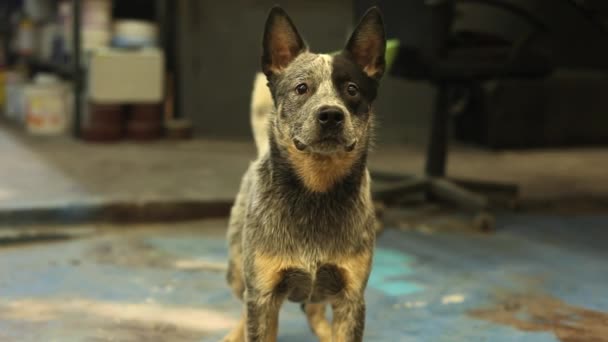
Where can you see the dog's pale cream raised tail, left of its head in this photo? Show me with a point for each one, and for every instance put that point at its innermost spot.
(261, 107)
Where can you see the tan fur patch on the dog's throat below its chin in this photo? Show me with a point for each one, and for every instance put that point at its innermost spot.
(320, 172)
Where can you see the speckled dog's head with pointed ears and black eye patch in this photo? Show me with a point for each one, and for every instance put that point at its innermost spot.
(323, 103)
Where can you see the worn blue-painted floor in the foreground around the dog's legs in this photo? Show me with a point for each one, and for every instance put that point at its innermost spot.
(536, 279)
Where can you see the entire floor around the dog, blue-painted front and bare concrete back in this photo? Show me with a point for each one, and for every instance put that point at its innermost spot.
(537, 278)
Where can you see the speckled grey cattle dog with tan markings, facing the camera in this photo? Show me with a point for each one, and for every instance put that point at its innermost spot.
(302, 227)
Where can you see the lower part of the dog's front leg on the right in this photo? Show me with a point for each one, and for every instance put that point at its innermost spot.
(349, 320)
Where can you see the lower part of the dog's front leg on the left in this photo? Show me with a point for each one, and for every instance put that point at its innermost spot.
(262, 317)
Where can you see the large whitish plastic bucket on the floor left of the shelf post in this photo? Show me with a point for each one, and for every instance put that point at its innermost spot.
(47, 110)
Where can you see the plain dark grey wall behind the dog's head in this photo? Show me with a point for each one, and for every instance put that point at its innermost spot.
(219, 54)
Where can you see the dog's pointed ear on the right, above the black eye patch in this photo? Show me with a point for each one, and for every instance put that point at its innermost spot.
(367, 44)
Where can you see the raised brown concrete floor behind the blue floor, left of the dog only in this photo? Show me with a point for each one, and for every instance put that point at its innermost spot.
(72, 178)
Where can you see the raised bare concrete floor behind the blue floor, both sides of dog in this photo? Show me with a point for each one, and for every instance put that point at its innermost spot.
(68, 180)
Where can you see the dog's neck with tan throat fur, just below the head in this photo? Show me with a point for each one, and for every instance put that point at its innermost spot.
(315, 172)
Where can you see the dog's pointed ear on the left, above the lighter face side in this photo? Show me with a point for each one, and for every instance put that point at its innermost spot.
(282, 42)
